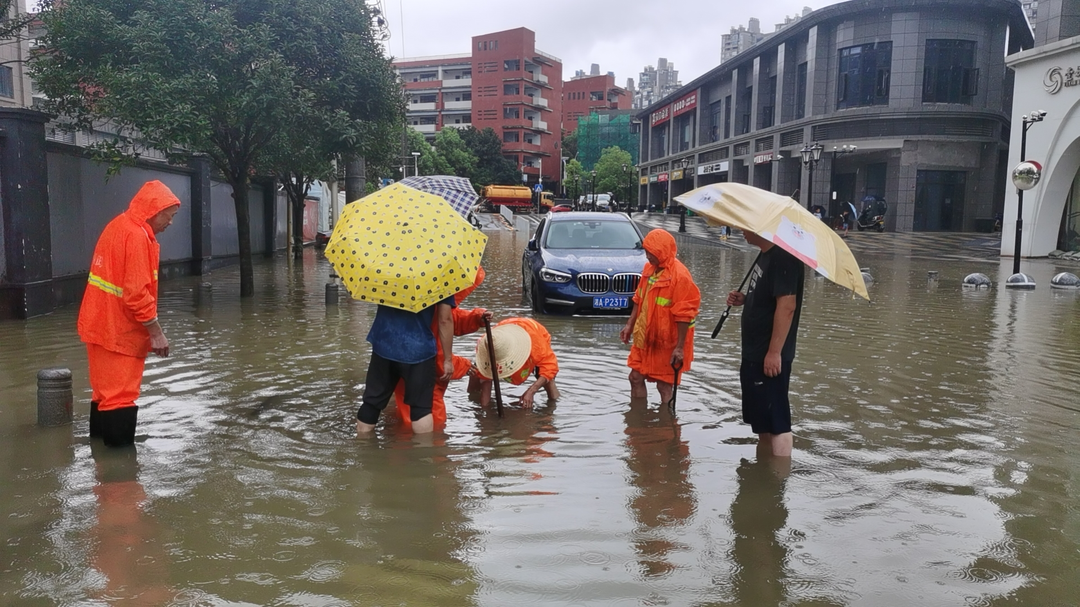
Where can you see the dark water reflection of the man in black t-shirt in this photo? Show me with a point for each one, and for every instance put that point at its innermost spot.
(758, 516)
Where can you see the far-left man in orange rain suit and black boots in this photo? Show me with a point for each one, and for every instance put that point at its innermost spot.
(118, 319)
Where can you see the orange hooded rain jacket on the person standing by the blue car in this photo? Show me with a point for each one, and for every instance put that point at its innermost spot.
(666, 299)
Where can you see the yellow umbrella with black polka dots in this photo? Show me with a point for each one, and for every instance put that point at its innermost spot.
(404, 249)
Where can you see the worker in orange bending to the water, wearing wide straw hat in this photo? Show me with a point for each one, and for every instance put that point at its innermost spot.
(521, 346)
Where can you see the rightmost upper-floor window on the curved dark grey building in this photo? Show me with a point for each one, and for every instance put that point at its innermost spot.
(950, 75)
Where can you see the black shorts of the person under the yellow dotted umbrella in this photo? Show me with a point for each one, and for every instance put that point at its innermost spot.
(383, 376)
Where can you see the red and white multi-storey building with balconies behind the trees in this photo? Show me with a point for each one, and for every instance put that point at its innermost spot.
(505, 84)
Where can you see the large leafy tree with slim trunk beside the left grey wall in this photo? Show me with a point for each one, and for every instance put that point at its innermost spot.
(217, 78)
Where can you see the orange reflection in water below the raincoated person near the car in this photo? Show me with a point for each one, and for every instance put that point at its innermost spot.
(659, 462)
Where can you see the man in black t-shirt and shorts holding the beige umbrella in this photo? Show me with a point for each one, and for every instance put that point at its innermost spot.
(771, 322)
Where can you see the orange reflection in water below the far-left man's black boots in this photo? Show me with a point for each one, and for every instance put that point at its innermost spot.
(127, 548)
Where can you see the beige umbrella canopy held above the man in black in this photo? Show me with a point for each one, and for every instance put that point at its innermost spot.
(782, 222)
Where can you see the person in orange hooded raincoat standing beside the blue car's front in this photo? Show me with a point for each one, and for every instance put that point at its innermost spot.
(661, 323)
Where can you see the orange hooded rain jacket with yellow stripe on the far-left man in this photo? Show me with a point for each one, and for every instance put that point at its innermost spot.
(123, 290)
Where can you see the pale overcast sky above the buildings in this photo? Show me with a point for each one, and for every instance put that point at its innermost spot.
(623, 36)
